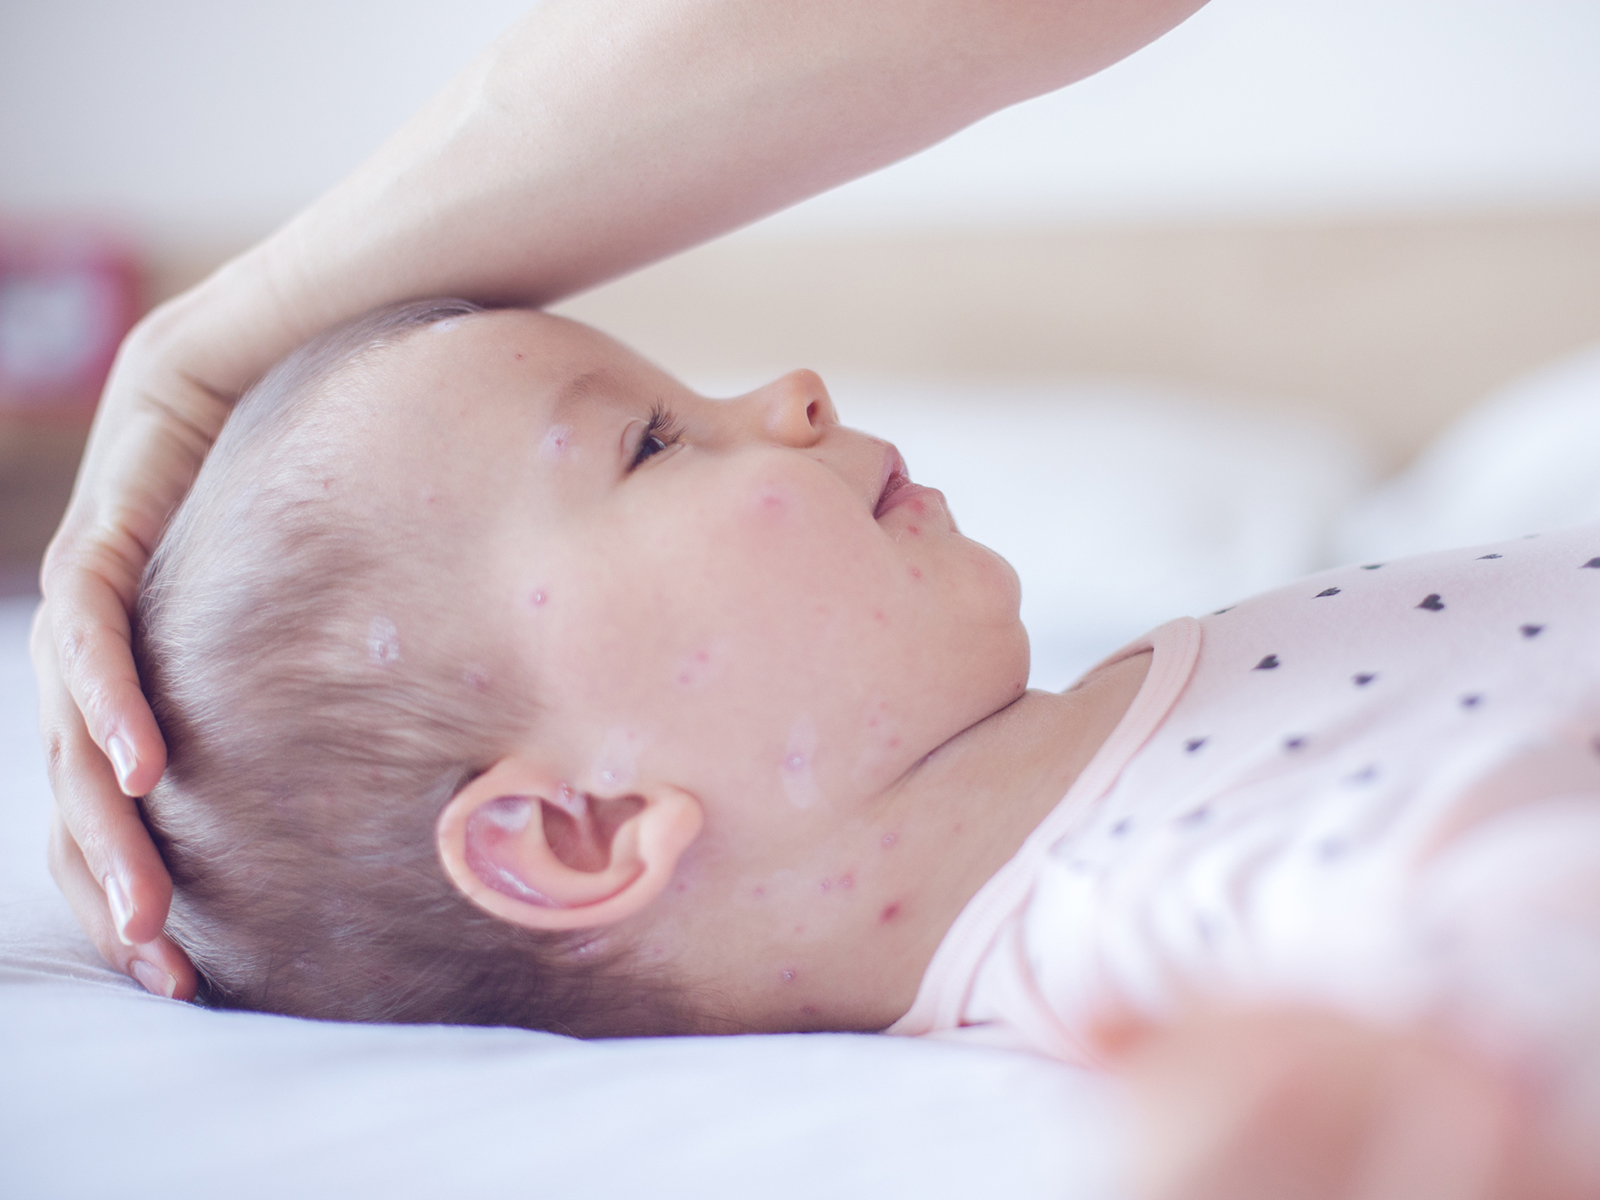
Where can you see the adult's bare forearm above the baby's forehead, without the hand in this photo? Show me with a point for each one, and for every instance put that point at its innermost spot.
(601, 135)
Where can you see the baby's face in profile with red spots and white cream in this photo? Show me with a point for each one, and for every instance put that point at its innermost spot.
(737, 598)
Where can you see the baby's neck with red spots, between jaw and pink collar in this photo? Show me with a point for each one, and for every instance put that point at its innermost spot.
(940, 834)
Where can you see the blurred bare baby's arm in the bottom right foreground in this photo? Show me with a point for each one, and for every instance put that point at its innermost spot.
(1271, 1105)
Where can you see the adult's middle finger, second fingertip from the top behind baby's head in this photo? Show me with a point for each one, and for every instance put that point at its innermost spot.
(98, 820)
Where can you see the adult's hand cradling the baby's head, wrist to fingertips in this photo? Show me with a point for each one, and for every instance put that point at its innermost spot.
(164, 406)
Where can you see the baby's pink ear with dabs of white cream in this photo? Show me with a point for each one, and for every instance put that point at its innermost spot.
(524, 847)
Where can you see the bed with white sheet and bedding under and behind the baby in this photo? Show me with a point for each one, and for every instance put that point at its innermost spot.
(1161, 498)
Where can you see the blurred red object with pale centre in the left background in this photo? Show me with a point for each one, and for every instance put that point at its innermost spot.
(68, 295)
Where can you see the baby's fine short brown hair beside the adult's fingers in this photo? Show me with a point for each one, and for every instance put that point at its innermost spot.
(313, 745)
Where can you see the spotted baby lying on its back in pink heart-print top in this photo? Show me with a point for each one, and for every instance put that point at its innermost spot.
(508, 681)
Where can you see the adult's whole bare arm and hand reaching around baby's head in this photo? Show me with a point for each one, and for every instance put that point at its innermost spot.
(593, 138)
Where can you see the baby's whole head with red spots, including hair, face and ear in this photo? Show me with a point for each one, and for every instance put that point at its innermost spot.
(508, 681)
